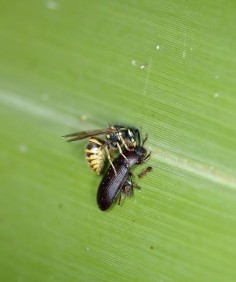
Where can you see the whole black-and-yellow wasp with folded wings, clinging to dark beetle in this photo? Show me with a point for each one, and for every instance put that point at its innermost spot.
(116, 136)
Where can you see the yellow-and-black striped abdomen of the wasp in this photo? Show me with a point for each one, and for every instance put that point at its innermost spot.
(95, 154)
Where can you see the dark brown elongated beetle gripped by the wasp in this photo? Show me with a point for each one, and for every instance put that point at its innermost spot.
(113, 184)
